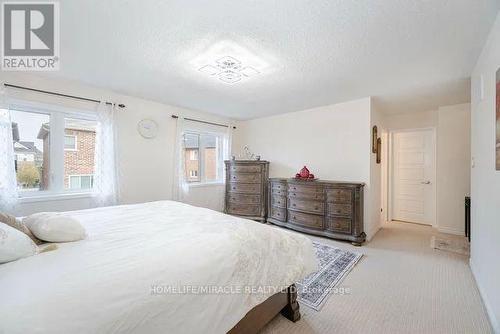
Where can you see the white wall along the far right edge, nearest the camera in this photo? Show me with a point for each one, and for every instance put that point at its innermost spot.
(485, 180)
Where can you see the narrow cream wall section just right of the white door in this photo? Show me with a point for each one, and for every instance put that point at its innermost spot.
(453, 167)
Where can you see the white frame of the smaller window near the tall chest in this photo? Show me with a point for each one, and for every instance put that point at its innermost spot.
(201, 158)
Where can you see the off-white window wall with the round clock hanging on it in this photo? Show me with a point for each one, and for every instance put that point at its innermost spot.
(145, 165)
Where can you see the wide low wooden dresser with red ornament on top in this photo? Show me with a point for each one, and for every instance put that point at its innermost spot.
(326, 208)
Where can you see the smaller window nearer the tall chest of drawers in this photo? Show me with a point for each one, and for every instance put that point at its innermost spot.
(203, 157)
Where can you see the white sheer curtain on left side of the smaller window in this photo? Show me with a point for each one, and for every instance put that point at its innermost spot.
(180, 185)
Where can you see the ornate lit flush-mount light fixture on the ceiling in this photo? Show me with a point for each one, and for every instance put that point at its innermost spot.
(229, 70)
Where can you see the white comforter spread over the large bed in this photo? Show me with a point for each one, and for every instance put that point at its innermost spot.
(118, 279)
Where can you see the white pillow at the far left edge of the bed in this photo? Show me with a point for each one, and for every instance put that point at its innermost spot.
(14, 244)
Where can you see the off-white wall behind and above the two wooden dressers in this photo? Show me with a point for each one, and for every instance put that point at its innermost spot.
(333, 141)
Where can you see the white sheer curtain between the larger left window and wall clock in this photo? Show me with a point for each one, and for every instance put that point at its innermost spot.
(105, 174)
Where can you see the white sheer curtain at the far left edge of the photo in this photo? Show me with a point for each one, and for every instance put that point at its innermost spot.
(8, 183)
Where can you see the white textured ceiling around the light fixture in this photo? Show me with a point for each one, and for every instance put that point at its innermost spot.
(410, 55)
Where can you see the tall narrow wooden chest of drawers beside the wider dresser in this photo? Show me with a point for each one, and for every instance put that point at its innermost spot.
(246, 189)
